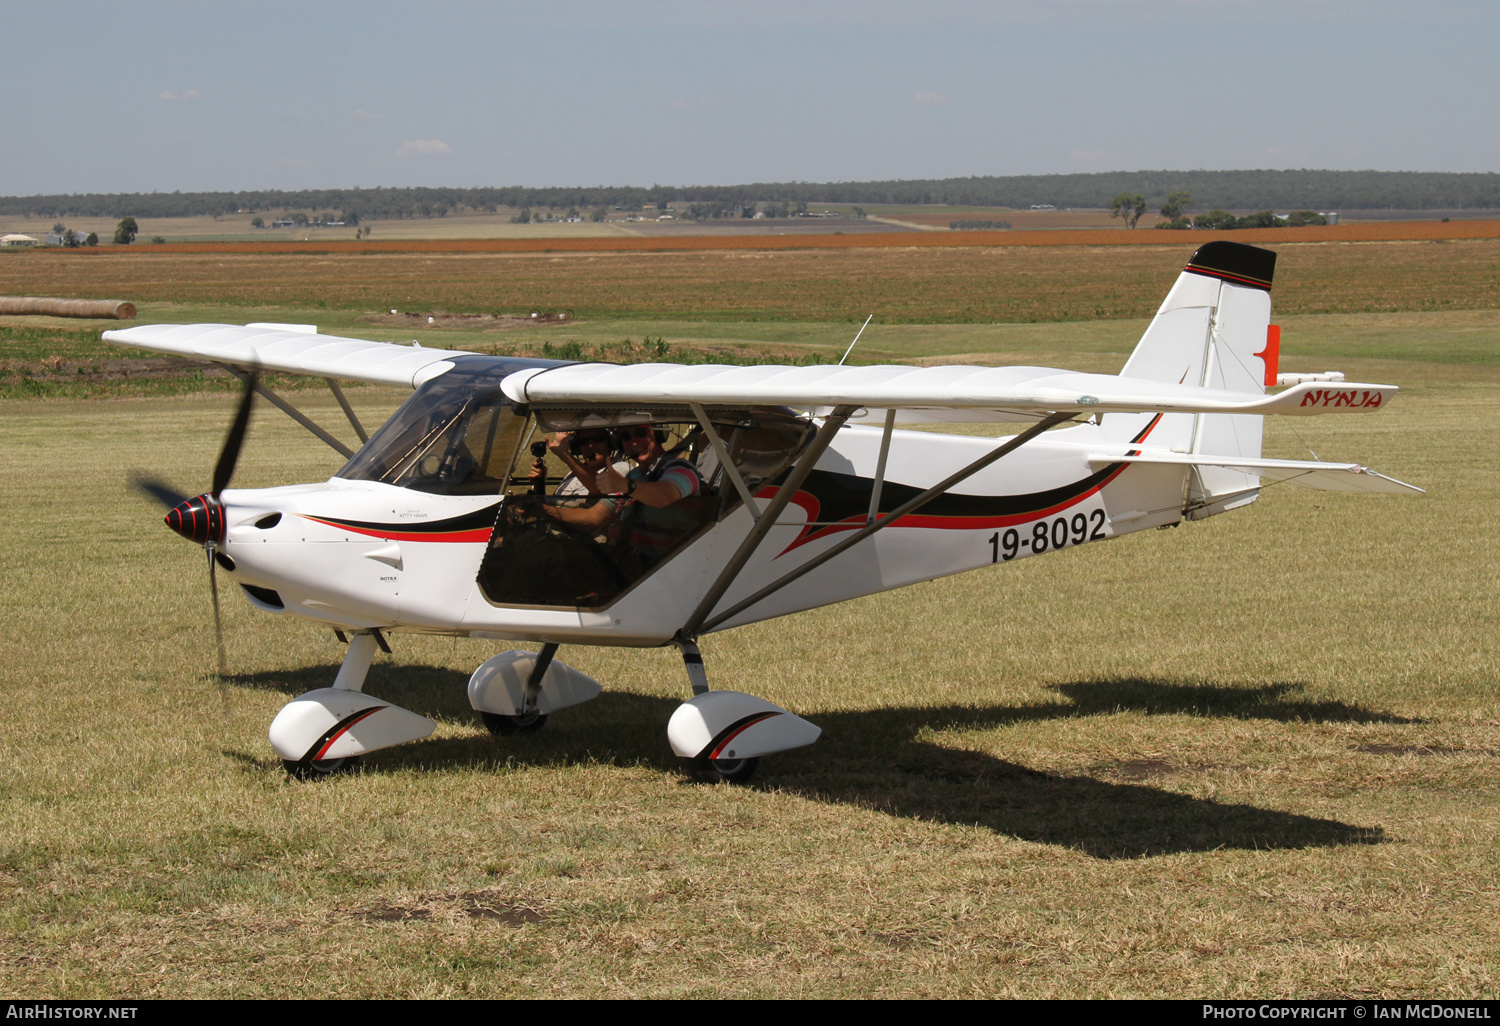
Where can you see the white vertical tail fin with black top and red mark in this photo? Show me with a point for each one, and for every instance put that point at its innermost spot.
(1213, 331)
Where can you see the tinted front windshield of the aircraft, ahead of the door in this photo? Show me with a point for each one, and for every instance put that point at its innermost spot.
(455, 436)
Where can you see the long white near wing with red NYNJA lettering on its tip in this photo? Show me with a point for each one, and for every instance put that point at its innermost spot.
(1019, 391)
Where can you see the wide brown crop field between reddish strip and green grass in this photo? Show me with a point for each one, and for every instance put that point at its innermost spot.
(911, 284)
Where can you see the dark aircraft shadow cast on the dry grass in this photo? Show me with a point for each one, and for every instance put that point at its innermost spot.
(874, 760)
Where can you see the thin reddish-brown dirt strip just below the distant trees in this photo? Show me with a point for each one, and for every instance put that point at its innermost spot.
(1364, 232)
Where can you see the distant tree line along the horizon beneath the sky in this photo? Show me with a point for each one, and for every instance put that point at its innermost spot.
(1216, 190)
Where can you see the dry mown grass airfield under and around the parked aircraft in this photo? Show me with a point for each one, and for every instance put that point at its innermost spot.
(1255, 757)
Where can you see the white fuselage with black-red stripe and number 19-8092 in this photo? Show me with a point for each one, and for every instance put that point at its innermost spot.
(359, 554)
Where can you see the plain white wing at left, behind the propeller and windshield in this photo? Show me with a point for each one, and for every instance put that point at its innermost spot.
(292, 350)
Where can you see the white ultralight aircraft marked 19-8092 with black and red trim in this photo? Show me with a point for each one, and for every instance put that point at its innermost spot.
(808, 496)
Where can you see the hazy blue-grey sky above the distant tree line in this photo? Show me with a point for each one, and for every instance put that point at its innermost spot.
(134, 97)
